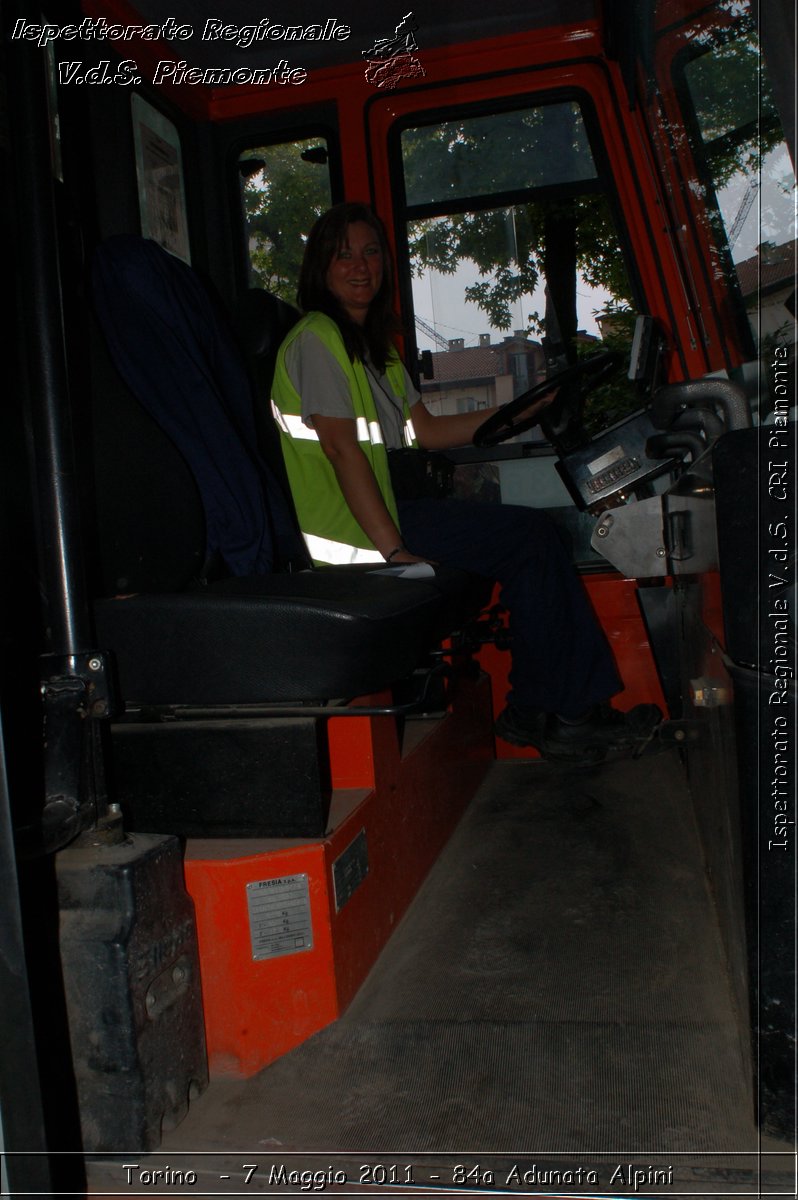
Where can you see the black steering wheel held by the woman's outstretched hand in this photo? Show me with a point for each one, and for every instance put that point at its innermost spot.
(577, 385)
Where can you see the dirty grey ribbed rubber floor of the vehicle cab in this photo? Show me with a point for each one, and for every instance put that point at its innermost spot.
(559, 986)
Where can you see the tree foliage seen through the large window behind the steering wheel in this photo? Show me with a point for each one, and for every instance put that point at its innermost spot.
(509, 153)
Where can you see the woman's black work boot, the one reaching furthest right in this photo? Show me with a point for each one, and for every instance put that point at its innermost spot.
(604, 731)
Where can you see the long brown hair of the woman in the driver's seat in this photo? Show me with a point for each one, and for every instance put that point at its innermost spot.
(375, 338)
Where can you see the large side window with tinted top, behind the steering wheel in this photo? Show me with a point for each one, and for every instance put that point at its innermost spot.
(517, 265)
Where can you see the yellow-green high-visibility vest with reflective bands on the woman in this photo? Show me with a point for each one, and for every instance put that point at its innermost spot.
(331, 532)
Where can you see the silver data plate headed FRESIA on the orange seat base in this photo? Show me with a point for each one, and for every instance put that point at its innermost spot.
(280, 916)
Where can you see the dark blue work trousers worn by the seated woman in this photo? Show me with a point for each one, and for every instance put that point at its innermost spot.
(561, 659)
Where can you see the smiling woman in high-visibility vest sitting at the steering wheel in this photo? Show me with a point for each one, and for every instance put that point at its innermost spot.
(343, 401)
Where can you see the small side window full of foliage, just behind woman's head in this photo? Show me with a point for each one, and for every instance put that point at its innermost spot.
(285, 188)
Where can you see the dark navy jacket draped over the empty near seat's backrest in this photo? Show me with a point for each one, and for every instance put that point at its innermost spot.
(175, 349)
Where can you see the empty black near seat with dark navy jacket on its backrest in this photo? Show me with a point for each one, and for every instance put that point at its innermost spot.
(220, 615)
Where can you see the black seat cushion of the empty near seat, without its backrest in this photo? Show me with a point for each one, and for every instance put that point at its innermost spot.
(304, 637)
